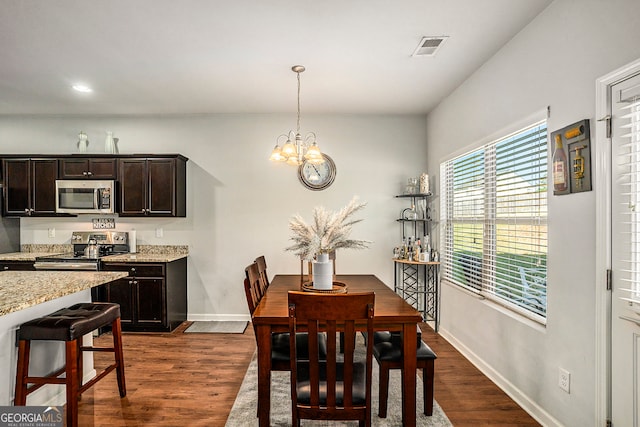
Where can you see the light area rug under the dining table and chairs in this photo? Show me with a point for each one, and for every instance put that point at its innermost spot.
(243, 412)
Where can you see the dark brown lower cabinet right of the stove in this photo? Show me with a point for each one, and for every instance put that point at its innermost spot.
(152, 299)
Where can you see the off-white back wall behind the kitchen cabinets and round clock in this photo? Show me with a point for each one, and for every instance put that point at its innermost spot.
(239, 203)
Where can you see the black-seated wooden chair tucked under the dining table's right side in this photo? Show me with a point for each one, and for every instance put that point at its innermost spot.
(387, 349)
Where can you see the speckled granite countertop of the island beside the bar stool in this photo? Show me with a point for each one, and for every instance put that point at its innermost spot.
(23, 289)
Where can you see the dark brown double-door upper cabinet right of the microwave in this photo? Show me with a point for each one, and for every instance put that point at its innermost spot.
(152, 186)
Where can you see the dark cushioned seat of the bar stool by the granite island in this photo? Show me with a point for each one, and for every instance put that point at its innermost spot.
(70, 323)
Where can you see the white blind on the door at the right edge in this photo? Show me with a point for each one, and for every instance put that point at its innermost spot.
(629, 161)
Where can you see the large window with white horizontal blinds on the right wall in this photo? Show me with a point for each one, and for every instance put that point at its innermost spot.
(494, 220)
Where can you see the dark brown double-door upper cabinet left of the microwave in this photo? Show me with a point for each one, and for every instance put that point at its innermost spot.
(29, 187)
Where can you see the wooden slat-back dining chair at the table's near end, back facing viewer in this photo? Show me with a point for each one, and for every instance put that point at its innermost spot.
(338, 388)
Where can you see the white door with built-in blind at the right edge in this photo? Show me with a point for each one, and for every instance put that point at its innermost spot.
(625, 305)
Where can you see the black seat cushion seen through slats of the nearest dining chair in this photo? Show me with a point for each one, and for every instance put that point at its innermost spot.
(359, 384)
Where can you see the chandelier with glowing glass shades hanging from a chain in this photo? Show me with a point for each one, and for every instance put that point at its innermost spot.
(296, 149)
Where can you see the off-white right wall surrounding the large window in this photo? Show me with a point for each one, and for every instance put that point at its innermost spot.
(554, 61)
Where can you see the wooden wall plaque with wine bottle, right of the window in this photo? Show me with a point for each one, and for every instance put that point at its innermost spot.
(571, 164)
